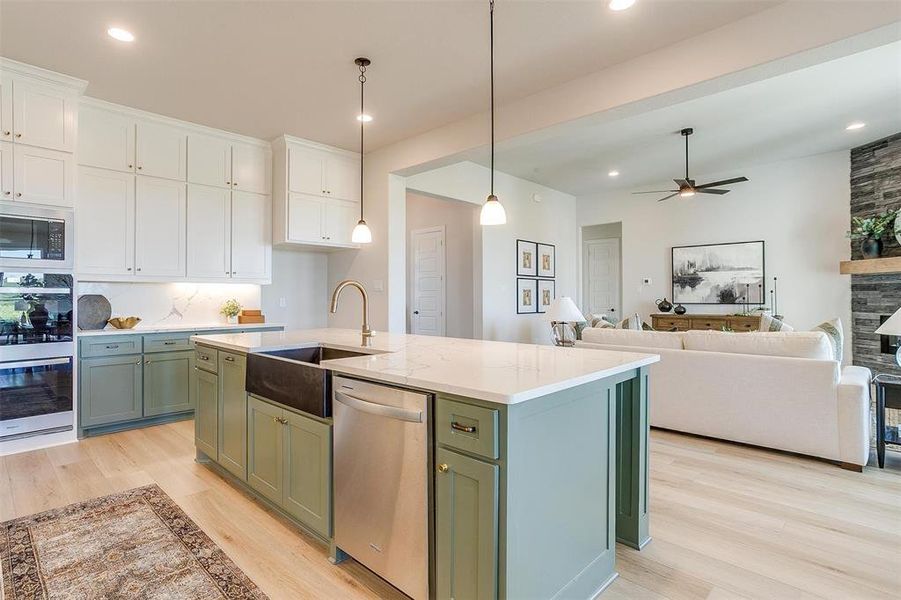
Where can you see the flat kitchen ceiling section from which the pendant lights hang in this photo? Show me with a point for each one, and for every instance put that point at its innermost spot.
(266, 68)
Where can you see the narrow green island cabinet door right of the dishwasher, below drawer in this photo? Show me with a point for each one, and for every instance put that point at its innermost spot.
(466, 528)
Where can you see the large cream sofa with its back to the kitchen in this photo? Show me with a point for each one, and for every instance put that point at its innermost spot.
(778, 390)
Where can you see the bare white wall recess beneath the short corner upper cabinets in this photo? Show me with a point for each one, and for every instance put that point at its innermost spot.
(301, 280)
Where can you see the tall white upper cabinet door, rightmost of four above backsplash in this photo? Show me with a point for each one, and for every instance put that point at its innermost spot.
(251, 236)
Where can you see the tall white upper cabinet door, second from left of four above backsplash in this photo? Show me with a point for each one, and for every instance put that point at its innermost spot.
(160, 228)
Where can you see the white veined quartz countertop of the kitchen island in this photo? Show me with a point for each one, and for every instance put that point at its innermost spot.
(500, 372)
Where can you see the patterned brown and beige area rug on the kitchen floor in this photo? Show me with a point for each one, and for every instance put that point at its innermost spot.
(135, 544)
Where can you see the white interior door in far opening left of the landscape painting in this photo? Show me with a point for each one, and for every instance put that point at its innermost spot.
(601, 278)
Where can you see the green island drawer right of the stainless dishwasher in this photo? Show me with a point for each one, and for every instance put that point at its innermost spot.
(467, 427)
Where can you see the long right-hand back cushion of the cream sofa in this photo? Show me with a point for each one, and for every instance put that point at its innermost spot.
(797, 344)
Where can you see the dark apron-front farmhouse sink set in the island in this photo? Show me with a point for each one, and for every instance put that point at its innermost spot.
(294, 378)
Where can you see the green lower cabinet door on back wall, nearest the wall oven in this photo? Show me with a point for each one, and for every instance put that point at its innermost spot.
(110, 389)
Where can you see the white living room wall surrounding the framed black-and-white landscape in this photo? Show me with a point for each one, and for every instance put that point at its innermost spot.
(800, 208)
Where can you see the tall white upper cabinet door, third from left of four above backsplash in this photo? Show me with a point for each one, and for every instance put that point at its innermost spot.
(209, 232)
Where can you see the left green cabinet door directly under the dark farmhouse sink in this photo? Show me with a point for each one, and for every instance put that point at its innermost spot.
(265, 448)
